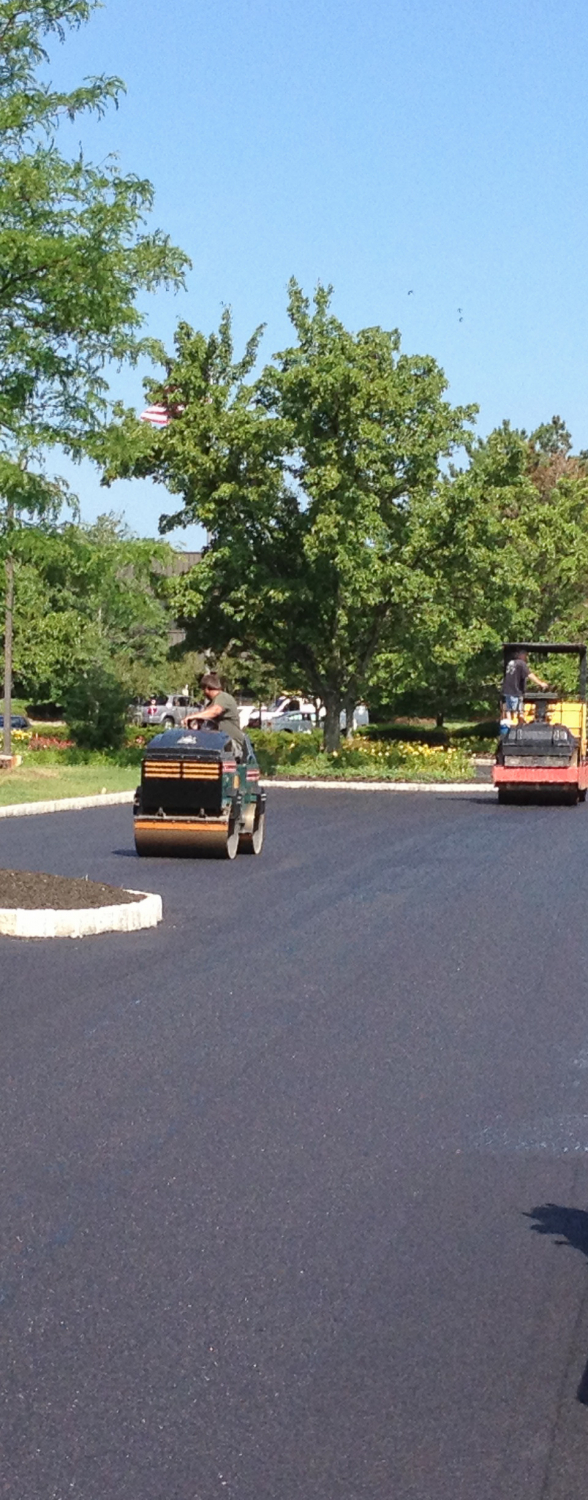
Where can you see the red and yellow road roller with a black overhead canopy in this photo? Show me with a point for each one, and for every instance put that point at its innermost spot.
(544, 755)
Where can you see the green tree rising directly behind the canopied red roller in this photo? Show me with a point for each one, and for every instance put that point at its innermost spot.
(508, 544)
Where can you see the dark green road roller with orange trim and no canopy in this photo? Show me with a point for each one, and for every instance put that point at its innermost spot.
(199, 796)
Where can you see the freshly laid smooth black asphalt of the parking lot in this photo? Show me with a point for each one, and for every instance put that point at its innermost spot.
(296, 1186)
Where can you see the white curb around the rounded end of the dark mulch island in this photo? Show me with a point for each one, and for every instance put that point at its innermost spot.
(128, 917)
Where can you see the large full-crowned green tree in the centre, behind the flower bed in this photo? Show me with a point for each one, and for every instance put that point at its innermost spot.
(311, 484)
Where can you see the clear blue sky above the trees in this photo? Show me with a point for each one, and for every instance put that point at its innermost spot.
(427, 148)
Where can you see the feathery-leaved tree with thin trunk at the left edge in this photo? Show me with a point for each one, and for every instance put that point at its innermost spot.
(74, 257)
